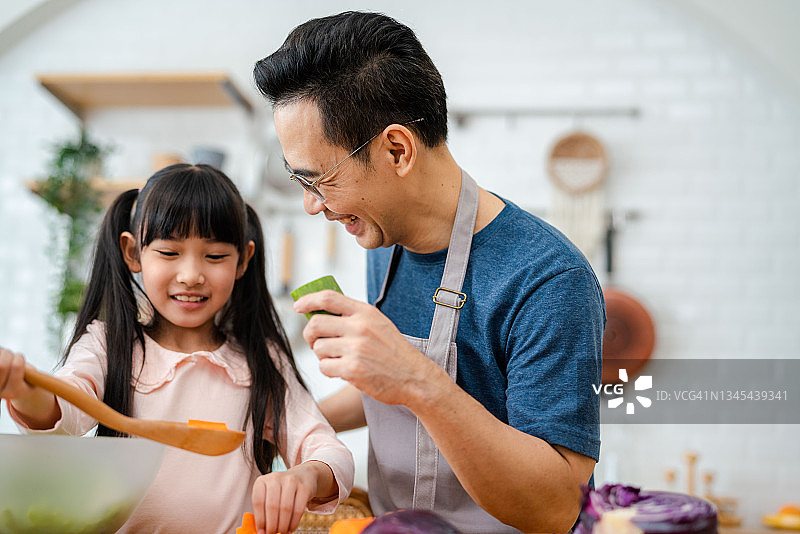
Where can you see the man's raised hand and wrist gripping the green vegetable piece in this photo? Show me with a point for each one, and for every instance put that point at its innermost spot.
(363, 347)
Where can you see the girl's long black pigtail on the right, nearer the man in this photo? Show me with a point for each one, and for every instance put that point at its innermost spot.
(256, 327)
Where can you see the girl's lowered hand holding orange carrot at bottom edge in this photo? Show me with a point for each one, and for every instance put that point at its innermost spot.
(279, 499)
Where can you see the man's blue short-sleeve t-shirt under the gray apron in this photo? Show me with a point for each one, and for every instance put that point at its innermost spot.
(530, 333)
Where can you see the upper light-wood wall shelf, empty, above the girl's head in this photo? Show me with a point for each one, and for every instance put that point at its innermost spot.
(81, 93)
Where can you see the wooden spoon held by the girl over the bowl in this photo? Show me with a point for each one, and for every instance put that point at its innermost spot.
(210, 442)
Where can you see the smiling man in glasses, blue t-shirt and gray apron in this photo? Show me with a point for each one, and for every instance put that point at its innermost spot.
(484, 320)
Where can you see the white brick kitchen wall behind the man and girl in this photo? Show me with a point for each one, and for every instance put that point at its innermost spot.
(710, 167)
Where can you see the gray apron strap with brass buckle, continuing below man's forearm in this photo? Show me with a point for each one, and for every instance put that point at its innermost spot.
(449, 299)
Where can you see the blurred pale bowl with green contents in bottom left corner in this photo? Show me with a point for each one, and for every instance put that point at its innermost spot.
(67, 484)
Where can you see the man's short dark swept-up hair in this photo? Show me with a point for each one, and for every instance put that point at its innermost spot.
(364, 71)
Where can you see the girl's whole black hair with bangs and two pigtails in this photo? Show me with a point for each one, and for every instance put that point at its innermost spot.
(183, 201)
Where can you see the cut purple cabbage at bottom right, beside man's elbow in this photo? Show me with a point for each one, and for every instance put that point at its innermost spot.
(655, 511)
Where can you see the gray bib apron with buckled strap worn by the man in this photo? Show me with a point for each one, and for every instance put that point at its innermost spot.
(406, 469)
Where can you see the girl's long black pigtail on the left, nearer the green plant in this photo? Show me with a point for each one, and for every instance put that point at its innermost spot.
(110, 297)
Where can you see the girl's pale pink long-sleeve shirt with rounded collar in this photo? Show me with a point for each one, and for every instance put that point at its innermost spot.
(192, 492)
